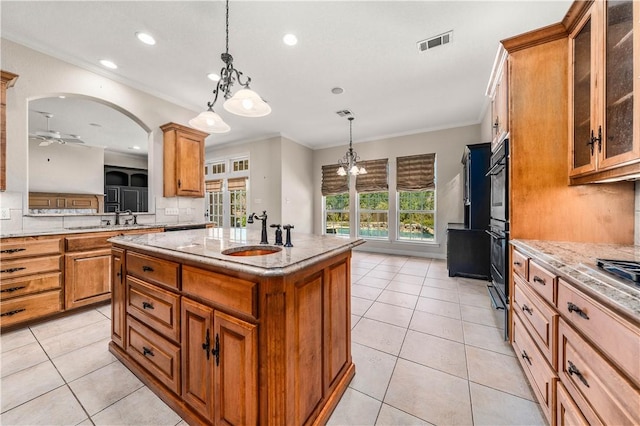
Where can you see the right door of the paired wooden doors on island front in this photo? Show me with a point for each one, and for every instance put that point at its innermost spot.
(236, 371)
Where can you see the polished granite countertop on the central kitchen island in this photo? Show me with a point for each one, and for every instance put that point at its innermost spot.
(205, 246)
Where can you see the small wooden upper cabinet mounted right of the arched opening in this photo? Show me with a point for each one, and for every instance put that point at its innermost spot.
(183, 161)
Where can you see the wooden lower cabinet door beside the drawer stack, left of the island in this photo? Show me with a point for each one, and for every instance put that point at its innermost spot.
(87, 278)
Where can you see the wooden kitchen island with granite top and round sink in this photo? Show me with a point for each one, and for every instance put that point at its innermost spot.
(229, 331)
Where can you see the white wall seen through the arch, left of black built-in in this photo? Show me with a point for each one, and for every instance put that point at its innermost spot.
(66, 168)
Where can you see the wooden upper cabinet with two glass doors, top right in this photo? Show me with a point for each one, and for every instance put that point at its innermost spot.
(604, 93)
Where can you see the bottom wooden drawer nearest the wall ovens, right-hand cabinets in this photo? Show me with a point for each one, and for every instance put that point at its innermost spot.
(540, 375)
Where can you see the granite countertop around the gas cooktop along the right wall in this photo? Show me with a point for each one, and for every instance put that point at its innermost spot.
(577, 263)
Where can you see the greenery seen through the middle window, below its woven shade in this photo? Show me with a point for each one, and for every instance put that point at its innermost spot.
(373, 215)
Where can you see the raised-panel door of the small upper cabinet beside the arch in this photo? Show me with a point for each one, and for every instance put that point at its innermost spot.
(189, 163)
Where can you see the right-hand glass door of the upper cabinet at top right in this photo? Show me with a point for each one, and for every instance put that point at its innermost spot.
(621, 138)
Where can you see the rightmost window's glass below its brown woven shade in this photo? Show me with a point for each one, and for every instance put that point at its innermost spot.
(416, 215)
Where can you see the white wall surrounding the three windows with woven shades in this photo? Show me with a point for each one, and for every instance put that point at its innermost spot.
(448, 145)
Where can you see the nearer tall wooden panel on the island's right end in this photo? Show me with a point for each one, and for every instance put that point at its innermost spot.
(307, 379)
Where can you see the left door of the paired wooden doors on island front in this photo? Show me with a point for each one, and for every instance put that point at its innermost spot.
(198, 341)
